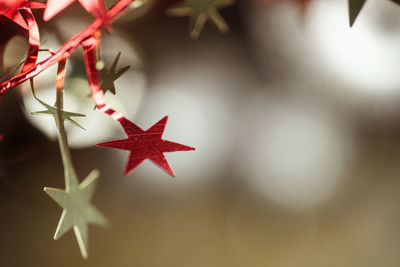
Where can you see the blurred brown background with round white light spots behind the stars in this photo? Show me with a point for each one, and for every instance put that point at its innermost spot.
(295, 118)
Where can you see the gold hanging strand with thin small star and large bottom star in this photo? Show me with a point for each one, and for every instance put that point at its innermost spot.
(75, 199)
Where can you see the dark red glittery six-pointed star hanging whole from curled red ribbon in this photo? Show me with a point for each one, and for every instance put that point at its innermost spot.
(146, 145)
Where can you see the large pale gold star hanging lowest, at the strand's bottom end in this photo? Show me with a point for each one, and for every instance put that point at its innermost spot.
(78, 212)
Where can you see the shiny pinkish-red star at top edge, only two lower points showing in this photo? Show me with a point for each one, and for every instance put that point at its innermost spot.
(53, 7)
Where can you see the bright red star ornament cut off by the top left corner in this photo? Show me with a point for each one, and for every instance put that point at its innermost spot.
(11, 8)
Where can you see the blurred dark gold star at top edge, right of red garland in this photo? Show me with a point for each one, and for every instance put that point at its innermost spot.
(200, 11)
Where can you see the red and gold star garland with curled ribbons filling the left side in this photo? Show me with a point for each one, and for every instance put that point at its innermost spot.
(78, 212)
